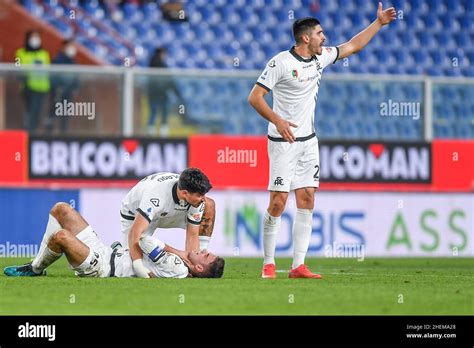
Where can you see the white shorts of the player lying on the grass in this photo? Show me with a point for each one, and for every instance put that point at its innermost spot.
(97, 264)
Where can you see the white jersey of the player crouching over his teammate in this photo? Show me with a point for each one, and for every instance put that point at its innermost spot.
(155, 198)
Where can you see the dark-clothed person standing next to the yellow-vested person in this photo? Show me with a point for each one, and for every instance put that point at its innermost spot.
(63, 85)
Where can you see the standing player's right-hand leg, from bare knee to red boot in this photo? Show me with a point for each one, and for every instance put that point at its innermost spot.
(302, 233)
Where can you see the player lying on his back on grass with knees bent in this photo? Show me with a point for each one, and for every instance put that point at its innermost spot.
(67, 232)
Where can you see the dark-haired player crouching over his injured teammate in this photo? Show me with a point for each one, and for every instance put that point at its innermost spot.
(168, 200)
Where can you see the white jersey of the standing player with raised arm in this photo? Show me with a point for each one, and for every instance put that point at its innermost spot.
(294, 82)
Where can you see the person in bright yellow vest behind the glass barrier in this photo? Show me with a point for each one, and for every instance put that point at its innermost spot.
(35, 83)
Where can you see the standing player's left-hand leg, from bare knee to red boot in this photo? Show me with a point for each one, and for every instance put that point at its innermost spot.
(271, 226)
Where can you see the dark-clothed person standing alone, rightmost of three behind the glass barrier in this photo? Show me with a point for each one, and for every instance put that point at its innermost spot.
(158, 97)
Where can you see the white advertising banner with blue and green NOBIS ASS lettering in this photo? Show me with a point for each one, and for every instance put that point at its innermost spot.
(357, 224)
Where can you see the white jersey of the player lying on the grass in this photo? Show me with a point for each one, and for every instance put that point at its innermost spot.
(168, 265)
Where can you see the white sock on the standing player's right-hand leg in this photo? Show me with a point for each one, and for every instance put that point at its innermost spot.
(301, 235)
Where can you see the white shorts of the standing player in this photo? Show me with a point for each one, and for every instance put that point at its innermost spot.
(293, 166)
